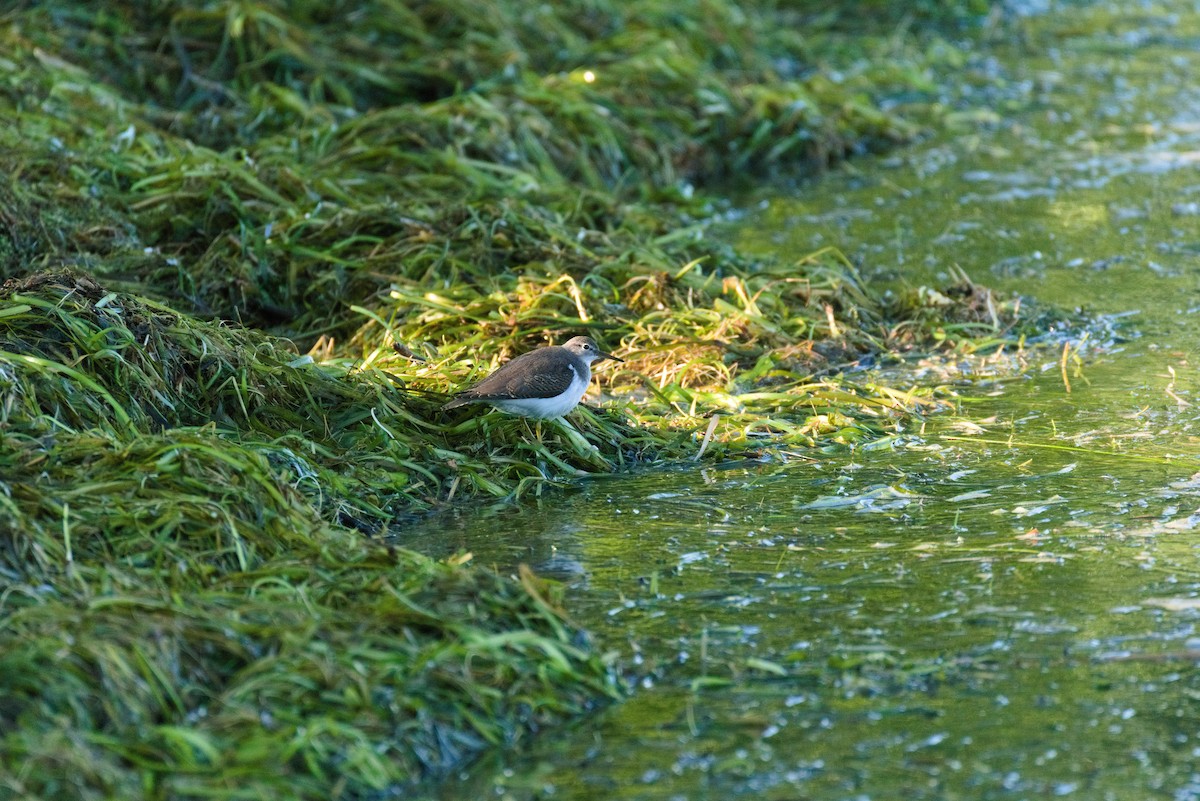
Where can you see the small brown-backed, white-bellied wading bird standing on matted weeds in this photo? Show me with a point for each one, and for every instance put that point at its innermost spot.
(542, 384)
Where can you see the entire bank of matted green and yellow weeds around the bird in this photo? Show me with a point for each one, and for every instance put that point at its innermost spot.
(250, 246)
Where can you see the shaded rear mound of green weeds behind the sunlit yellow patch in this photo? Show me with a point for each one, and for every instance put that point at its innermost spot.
(278, 168)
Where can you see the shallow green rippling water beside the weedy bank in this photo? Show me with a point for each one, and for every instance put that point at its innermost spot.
(999, 605)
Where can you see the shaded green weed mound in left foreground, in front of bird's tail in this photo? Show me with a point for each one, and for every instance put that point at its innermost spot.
(185, 612)
